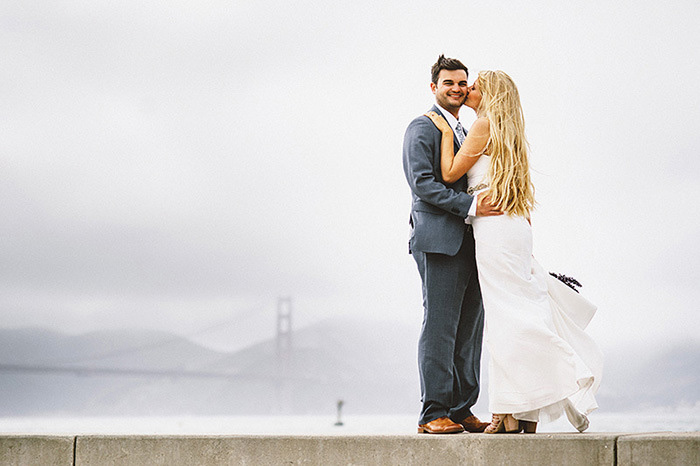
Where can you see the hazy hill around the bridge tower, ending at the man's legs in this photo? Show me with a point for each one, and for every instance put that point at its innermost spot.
(371, 367)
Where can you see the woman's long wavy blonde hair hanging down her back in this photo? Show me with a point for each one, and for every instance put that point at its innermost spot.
(509, 172)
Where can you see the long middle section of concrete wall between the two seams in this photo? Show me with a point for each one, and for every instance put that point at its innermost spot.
(476, 449)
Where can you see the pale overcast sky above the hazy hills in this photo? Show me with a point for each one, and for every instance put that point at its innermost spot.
(178, 165)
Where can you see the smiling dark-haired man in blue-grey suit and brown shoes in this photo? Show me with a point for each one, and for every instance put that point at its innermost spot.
(442, 244)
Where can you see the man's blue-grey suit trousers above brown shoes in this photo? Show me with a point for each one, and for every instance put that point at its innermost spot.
(449, 349)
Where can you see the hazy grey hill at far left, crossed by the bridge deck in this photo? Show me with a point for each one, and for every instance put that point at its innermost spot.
(50, 393)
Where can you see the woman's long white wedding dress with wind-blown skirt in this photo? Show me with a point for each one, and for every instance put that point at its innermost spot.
(542, 362)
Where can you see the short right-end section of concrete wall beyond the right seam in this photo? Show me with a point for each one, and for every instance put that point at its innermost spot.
(660, 448)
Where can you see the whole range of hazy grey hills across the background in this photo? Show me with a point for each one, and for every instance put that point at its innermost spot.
(371, 366)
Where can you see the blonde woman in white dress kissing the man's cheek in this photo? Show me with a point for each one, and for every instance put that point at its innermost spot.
(542, 364)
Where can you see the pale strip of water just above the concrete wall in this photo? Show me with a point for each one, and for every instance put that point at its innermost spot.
(679, 420)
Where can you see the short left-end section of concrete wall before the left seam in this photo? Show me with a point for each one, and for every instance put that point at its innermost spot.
(21, 450)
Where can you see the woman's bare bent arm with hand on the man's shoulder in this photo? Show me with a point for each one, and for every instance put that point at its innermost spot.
(452, 166)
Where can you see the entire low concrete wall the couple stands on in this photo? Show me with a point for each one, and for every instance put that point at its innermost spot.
(467, 449)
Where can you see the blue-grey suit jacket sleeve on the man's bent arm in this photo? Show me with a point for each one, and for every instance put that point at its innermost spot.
(418, 149)
